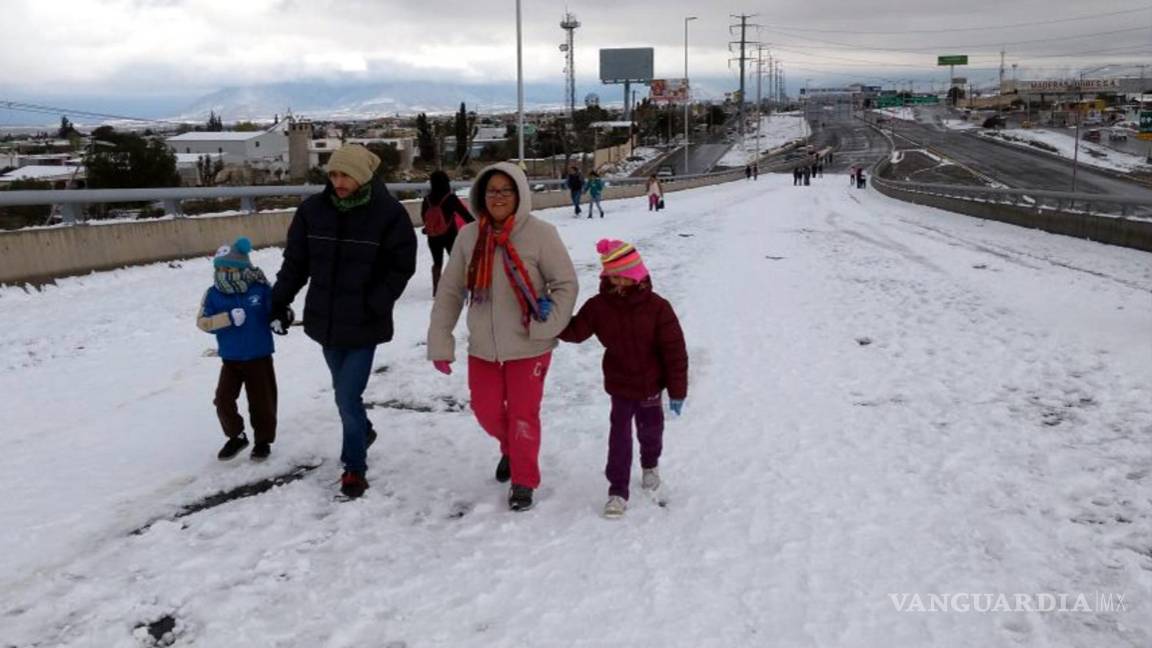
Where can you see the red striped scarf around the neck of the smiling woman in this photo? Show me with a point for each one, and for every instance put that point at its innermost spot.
(480, 269)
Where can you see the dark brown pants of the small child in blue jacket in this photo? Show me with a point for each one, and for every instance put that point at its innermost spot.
(259, 378)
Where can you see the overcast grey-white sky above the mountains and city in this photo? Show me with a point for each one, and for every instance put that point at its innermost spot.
(195, 47)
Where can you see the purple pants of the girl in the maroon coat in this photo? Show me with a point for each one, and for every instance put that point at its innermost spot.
(649, 415)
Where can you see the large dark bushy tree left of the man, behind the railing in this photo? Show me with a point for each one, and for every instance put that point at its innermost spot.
(132, 162)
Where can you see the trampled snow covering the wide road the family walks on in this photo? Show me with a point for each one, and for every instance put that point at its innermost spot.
(888, 403)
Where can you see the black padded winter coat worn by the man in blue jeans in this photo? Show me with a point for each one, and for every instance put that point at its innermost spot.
(358, 263)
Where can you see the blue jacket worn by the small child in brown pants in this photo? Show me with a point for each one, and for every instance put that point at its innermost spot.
(248, 342)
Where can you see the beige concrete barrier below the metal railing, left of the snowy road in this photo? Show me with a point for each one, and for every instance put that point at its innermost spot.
(42, 255)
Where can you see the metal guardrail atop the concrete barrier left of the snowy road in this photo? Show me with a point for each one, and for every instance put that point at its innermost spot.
(72, 202)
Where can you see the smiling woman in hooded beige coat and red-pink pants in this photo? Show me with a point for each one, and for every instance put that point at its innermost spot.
(520, 285)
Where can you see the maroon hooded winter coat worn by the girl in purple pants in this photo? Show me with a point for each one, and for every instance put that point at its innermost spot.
(643, 344)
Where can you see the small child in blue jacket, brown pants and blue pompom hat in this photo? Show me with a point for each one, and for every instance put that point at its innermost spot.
(237, 310)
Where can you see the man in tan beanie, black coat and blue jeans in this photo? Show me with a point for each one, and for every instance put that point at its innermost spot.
(357, 246)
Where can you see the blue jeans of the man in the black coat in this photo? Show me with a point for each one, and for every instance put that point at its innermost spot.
(351, 370)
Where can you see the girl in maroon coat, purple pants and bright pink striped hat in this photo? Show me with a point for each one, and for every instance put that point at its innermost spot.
(643, 355)
